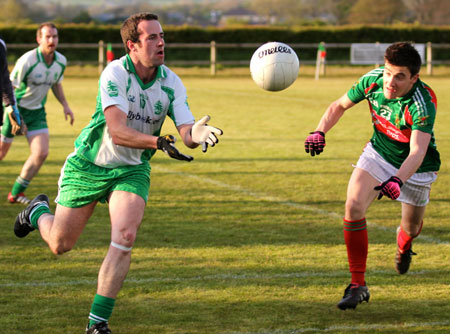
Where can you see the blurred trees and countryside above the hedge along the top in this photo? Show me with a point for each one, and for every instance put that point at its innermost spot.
(287, 13)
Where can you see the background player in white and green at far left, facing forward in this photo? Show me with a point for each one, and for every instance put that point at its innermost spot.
(33, 75)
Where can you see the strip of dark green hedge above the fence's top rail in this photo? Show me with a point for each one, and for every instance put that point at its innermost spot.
(86, 33)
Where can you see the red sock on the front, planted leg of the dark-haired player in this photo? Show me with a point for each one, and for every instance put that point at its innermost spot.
(357, 242)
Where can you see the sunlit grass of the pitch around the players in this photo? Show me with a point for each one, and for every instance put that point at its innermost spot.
(247, 238)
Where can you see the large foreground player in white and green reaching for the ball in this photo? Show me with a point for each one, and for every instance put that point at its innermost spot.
(111, 158)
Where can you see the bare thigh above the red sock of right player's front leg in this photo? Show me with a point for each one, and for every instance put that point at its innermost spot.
(360, 193)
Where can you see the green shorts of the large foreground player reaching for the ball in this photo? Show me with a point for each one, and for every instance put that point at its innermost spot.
(82, 182)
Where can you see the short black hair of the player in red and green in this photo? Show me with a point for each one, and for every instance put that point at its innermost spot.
(404, 54)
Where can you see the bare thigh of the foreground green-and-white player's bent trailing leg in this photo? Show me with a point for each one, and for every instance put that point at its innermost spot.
(68, 223)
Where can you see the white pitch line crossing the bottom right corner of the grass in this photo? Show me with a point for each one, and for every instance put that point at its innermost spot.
(364, 328)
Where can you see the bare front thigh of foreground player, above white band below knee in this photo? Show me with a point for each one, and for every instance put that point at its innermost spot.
(126, 210)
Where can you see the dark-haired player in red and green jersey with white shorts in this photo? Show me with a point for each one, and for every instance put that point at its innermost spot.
(400, 161)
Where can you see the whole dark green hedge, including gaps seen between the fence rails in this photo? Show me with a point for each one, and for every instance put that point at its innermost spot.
(88, 33)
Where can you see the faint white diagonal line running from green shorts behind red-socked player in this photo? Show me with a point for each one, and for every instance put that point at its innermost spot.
(285, 202)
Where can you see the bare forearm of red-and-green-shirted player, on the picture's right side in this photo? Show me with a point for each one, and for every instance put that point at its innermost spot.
(419, 142)
